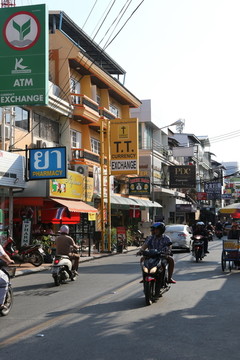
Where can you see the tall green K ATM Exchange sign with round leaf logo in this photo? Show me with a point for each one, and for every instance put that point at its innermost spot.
(24, 56)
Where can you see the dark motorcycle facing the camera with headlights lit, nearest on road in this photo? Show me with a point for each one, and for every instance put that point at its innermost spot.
(154, 271)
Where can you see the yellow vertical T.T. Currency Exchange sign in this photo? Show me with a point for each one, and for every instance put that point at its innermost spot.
(124, 146)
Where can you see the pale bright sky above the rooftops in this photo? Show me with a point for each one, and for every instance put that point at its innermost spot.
(184, 55)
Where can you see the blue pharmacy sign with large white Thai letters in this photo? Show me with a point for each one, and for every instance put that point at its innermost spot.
(47, 163)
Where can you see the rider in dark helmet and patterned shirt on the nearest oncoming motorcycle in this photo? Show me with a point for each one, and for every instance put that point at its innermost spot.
(163, 243)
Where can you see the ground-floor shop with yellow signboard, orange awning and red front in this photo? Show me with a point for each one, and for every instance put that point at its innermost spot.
(50, 203)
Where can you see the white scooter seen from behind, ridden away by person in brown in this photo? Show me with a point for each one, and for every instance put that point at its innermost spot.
(62, 269)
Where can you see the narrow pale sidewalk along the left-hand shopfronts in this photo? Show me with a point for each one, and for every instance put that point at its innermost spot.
(25, 269)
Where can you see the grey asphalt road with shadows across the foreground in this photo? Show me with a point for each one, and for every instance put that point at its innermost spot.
(104, 313)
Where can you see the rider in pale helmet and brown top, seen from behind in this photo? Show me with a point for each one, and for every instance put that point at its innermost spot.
(65, 245)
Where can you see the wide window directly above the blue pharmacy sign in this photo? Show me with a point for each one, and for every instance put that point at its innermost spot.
(45, 128)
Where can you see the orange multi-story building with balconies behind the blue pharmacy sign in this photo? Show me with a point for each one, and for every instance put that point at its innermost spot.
(86, 91)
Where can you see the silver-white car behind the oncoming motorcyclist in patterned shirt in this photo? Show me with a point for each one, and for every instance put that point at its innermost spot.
(181, 236)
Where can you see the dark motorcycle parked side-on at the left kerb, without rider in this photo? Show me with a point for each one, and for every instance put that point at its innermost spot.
(32, 254)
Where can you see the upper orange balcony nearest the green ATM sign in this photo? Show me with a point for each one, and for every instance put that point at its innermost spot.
(85, 109)
